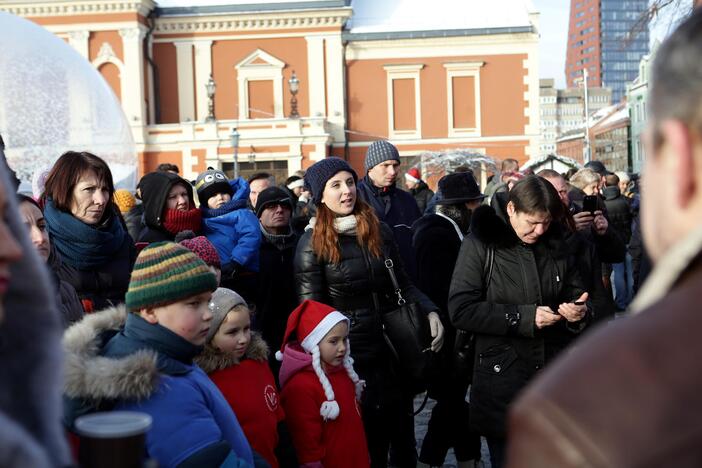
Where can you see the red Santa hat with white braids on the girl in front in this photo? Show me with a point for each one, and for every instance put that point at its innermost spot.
(310, 322)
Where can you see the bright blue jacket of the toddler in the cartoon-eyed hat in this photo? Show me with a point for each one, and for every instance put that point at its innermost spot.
(233, 229)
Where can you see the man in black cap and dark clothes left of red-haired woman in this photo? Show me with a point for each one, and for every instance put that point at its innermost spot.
(275, 295)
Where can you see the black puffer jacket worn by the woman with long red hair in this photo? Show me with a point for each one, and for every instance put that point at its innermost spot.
(349, 287)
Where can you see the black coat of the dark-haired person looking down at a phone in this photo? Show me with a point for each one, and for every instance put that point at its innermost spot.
(509, 347)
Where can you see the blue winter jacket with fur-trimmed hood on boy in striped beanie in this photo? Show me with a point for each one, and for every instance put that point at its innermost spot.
(147, 368)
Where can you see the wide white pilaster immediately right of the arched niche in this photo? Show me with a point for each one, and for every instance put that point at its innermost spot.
(133, 100)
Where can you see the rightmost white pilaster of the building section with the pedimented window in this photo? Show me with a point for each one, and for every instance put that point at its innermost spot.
(335, 86)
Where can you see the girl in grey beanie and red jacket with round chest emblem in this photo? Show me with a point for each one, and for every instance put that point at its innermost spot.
(237, 362)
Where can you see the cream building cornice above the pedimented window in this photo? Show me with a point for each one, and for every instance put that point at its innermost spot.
(290, 19)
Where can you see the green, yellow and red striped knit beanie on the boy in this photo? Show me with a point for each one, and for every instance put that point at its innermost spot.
(164, 273)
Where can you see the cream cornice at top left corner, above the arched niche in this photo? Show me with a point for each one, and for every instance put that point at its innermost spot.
(77, 7)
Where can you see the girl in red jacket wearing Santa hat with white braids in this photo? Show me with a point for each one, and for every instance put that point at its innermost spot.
(320, 389)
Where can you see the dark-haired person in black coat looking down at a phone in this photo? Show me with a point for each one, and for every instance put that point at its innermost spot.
(517, 289)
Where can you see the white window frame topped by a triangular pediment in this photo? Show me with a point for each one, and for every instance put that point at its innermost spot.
(247, 71)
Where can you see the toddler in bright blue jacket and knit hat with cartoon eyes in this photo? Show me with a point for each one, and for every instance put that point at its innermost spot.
(228, 223)
